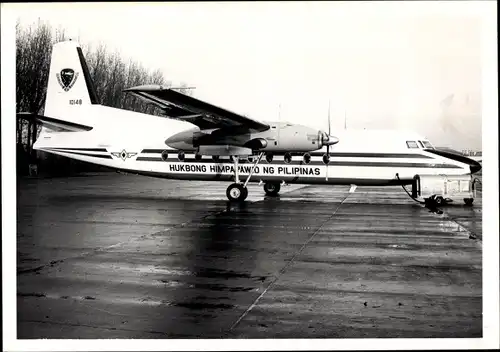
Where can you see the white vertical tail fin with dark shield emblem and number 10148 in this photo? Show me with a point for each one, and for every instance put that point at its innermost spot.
(70, 86)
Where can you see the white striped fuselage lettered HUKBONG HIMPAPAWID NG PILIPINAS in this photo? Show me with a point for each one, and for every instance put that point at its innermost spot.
(135, 143)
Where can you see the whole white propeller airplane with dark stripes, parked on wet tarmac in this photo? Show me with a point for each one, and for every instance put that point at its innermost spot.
(196, 140)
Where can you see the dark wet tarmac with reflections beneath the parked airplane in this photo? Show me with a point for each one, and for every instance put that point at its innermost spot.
(121, 256)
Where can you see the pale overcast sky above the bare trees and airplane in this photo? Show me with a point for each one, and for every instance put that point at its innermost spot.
(381, 65)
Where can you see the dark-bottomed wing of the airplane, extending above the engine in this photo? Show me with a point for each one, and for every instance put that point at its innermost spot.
(195, 111)
